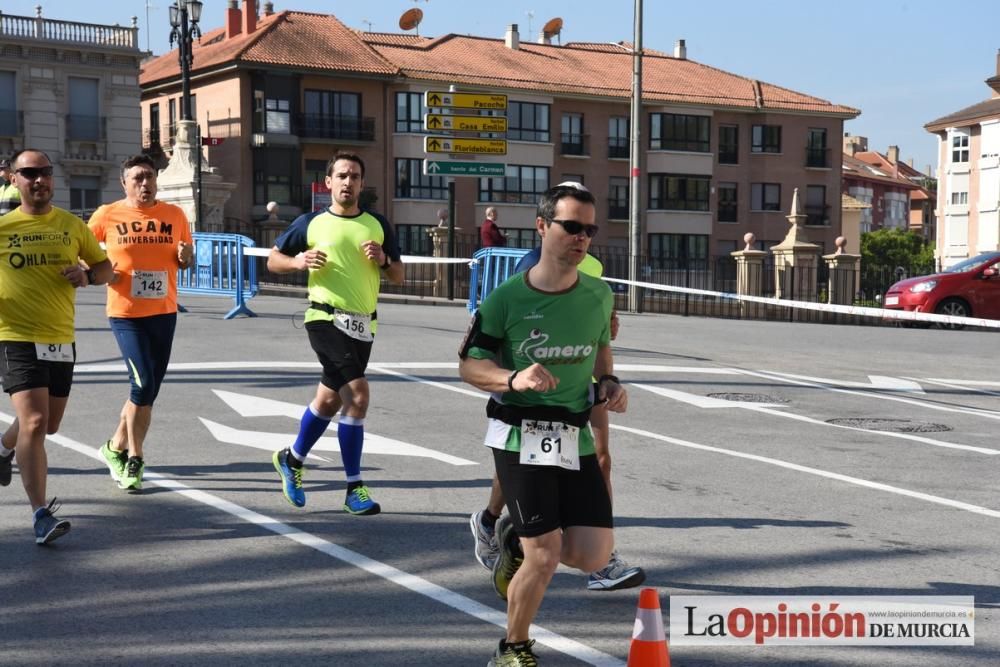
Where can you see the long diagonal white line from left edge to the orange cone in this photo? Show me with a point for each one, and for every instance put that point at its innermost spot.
(394, 575)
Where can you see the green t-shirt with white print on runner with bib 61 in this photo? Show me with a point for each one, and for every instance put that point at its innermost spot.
(561, 331)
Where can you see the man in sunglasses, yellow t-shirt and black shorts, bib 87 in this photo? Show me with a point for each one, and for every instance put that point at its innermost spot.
(40, 251)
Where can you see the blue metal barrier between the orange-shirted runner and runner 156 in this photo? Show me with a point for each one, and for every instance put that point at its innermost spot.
(220, 268)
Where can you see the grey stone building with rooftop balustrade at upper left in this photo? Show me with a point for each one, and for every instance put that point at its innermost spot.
(72, 90)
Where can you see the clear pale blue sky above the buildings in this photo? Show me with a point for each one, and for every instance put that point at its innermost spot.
(902, 62)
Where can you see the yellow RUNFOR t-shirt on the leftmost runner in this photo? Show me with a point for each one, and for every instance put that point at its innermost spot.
(36, 301)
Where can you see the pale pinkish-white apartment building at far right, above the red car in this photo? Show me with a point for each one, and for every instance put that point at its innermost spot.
(969, 177)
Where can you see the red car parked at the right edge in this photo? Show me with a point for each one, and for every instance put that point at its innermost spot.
(970, 288)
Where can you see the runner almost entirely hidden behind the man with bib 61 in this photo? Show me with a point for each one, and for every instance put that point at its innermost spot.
(617, 574)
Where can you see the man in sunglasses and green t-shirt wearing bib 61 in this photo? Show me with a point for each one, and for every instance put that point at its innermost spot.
(535, 343)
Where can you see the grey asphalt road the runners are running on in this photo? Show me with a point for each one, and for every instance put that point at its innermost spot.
(210, 565)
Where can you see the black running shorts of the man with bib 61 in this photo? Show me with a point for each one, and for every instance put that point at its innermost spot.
(541, 499)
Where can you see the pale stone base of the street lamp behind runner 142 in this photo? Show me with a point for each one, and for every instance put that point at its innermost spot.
(177, 184)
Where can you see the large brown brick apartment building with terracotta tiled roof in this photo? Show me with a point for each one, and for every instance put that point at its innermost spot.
(721, 153)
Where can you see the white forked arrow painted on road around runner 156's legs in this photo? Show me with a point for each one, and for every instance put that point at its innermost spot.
(255, 406)
